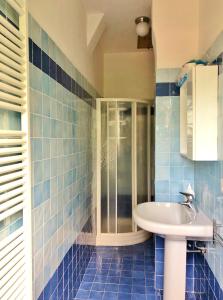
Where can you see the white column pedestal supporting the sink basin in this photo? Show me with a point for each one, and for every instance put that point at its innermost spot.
(174, 268)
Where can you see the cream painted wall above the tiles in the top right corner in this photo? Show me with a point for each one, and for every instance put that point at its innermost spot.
(210, 23)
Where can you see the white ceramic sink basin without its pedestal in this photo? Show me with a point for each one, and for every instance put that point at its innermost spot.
(172, 219)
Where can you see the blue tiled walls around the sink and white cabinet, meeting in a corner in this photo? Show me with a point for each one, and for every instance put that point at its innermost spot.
(174, 173)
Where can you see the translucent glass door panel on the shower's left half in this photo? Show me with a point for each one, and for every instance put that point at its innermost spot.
(116, 171)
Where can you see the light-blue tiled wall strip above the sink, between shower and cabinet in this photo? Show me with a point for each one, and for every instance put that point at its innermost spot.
(173, 172)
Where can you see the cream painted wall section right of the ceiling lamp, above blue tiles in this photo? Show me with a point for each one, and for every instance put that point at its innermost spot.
(175, 29)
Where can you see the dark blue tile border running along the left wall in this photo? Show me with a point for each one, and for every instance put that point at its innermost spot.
(42, 61)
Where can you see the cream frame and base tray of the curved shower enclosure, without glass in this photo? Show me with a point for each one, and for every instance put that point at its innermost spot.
(136, 235)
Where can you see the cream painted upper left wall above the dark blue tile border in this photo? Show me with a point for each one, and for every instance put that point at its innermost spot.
(65, 22)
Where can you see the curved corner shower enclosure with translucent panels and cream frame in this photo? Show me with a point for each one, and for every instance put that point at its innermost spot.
(123, 168)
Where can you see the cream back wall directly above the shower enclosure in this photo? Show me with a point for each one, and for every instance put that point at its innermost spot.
(129, 75)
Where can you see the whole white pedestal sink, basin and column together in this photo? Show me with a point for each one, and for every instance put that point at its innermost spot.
(177, 223)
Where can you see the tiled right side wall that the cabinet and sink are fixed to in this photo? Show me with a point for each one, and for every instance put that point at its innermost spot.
(209, 177)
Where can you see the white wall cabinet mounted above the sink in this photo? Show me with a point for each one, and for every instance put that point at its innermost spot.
(198, 114)
